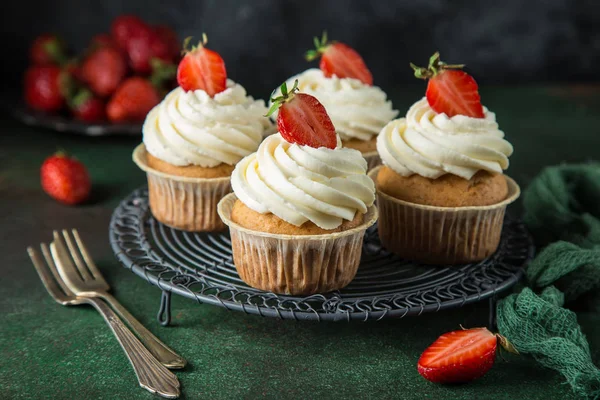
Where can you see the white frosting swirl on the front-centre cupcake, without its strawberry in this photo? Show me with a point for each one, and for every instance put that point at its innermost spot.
(301, 183)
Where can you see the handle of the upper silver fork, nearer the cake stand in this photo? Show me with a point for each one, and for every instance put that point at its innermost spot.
(161, 351)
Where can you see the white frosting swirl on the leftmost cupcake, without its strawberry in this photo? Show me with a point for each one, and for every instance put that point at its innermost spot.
(192, 128)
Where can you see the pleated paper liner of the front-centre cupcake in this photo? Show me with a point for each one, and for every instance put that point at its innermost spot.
(295, 264)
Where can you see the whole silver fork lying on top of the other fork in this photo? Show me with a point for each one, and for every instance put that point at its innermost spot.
(85, 279)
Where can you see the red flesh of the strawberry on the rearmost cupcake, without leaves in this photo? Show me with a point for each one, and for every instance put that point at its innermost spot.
(344, 62)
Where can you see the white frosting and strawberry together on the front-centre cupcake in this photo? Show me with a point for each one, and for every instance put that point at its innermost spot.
(302, 173)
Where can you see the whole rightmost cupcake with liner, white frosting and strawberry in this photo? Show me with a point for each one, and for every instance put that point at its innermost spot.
(441, 191)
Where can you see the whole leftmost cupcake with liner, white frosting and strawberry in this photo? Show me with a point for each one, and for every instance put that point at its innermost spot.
(193, 139)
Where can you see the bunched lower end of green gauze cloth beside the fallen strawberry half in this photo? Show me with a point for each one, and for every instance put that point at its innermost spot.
(541, 327)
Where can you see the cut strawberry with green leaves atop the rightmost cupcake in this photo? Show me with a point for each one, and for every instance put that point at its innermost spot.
(450, 90)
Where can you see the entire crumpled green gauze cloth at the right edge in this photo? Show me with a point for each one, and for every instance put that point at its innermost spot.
(562, 211)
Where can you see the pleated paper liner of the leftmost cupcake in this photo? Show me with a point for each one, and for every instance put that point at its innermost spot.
(185, 203)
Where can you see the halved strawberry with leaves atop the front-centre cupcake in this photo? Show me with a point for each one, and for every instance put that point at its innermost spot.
(302, 119)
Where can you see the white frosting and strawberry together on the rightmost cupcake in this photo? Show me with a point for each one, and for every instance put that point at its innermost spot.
(448, 131)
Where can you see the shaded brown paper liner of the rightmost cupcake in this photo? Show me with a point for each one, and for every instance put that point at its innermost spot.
(441, 235)
